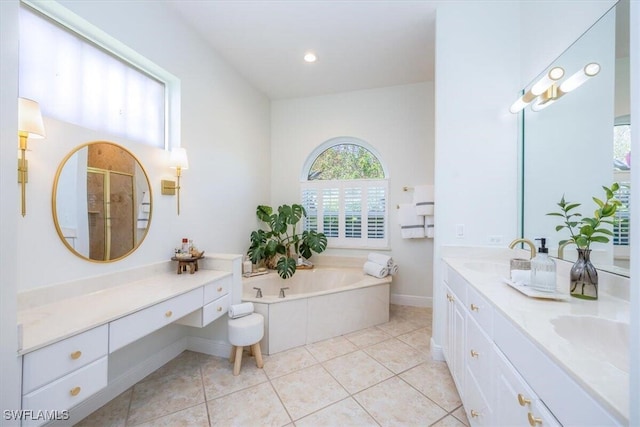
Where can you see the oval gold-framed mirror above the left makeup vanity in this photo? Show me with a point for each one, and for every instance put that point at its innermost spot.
(101, 202)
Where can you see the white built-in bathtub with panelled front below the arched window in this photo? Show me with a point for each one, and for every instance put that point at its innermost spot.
(321, 303)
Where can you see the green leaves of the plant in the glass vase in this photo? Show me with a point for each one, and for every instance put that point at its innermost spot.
(586, 230)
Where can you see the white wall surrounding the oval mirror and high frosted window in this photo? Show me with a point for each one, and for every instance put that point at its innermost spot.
(225, 129)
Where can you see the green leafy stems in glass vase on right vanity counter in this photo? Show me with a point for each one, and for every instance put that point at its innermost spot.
(583, 232)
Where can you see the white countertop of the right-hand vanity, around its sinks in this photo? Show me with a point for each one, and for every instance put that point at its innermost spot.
(484, 268)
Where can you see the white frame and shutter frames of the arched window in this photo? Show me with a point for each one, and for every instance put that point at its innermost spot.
(342, 241)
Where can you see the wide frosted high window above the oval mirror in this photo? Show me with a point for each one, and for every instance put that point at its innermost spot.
(81, 75)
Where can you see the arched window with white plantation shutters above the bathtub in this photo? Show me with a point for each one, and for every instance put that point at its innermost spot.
(344, 191)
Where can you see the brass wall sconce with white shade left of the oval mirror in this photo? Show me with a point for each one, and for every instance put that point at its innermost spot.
(30, 125)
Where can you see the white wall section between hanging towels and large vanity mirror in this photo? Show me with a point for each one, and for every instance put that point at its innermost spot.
(476, 172)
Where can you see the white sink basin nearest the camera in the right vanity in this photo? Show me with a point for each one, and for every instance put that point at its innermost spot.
(603, 338)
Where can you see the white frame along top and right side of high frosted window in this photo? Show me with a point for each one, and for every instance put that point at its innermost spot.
(83, 28)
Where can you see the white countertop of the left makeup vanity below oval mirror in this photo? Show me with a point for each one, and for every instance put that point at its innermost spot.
(78, 307)
